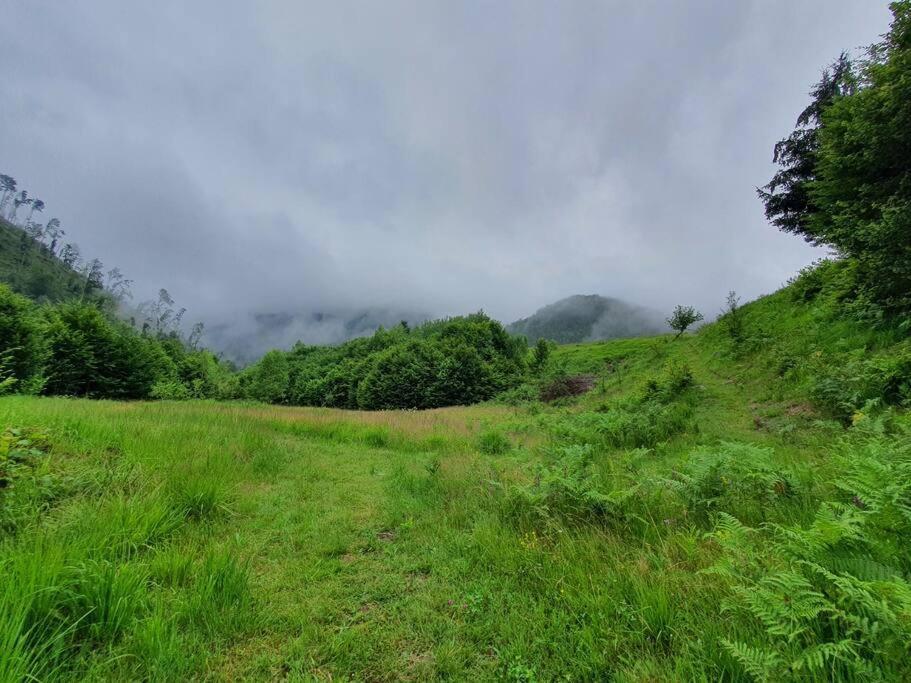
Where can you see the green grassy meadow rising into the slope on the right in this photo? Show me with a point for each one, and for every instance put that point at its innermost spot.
(698, 527)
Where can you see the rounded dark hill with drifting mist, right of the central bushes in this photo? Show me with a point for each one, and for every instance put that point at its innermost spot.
(588, 317)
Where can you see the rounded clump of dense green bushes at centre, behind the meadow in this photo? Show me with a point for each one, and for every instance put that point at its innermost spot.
(440, 363)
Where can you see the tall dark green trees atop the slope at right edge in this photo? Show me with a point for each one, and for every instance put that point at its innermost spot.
(844, 179)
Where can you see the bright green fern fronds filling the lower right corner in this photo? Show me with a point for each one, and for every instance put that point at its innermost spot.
(829, 600)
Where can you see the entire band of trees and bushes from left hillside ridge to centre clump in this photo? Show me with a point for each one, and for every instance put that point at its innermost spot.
(84, 338)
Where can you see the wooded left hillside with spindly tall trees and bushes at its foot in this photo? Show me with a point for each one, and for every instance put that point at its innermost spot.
(68, 327)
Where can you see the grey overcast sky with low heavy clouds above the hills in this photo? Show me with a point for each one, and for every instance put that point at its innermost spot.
(445, 157)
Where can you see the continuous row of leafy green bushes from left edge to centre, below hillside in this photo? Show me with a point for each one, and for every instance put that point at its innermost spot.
(75, 349)
